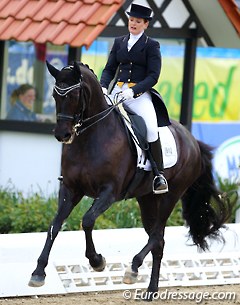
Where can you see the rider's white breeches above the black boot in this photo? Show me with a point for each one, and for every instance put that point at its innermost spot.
(142, 106)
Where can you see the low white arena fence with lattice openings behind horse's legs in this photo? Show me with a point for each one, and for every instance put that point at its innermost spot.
(69, 272)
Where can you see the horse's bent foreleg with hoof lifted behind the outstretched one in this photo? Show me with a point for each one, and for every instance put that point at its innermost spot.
(100, 205)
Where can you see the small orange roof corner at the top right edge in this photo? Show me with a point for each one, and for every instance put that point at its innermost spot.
(232, 12)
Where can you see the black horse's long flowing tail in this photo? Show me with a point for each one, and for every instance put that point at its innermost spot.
(204, 209)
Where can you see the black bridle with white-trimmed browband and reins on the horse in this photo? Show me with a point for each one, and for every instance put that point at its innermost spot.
(78, 119)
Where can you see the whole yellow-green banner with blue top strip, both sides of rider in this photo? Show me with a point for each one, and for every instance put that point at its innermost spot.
(217, 82)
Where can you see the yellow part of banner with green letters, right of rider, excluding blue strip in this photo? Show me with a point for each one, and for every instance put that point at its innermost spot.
(216, 90)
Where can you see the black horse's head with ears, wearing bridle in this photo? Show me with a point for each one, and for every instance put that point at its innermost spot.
(69, 99)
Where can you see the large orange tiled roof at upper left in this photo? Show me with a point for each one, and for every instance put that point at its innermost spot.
(72, 22)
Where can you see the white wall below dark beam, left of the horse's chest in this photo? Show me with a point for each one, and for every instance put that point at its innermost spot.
(30, 162)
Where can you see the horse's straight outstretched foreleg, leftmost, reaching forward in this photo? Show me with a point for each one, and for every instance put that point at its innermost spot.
(66, 204)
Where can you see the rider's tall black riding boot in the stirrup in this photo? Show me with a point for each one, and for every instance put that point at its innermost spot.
(160, 184)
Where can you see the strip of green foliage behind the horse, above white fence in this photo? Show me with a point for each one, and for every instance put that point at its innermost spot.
(35, 213)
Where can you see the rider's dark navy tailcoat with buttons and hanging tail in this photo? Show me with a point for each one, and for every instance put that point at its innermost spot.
(140, 65)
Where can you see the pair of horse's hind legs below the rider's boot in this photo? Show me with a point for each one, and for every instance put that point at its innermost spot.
(155, 211)
